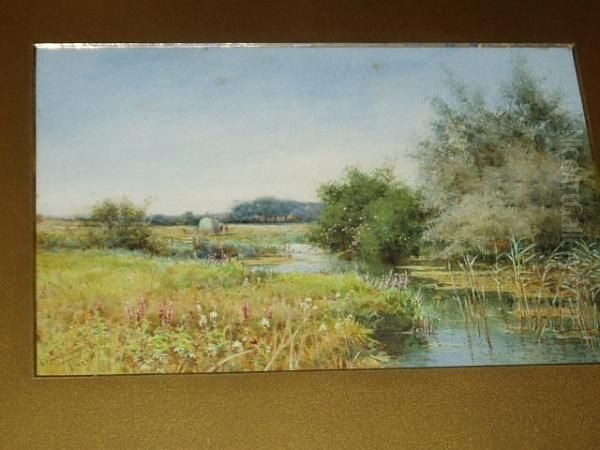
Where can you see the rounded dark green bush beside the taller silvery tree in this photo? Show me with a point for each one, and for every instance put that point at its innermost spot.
(371, 216)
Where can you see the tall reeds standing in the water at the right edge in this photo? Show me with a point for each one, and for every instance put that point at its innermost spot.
(558, 291)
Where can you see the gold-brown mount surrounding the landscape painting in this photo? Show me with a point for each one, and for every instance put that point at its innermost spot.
(509, 406)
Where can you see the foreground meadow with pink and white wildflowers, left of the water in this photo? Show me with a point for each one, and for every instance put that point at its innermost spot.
(104, 312)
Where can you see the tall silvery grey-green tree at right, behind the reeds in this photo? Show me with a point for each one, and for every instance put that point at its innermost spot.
(490, 172)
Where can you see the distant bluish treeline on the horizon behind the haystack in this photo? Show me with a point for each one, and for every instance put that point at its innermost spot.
(260, 210)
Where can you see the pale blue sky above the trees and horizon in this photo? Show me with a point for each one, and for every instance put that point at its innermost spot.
(200, 128)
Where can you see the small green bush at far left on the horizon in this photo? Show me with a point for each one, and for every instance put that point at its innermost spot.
(124, 224)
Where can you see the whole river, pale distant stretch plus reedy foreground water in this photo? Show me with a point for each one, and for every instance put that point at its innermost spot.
(454, 343)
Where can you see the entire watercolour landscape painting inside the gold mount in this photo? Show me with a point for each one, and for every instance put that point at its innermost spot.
(247, 208)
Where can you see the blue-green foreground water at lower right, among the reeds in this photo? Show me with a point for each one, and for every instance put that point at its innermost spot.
(455, 343)
